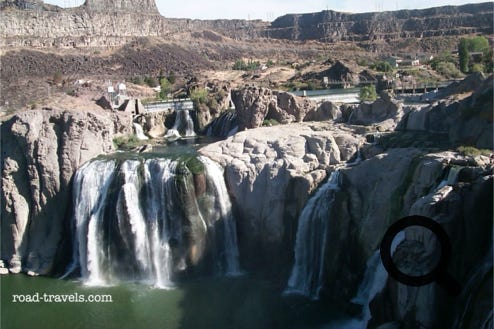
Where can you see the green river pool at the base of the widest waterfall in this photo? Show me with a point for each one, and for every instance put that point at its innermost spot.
(211, 303)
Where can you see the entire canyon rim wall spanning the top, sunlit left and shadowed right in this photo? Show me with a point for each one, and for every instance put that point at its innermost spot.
(98, 24)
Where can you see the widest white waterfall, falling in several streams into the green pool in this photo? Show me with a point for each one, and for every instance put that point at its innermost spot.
(148, 220)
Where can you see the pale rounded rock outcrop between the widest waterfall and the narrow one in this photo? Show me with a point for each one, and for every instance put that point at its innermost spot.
(270, 173)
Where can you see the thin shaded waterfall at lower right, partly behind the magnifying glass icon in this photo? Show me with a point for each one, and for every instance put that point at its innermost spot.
(373, 283)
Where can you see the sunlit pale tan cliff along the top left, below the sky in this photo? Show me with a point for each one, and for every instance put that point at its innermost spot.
(105, 24)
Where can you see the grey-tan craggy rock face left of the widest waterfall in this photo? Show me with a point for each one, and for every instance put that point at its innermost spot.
(41, 152)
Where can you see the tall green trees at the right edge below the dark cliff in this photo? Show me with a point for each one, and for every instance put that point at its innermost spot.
(475, 55)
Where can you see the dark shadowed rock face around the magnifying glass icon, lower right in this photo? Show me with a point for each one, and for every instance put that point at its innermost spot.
(403, 182)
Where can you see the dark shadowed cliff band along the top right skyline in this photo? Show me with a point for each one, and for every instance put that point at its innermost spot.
(334, 26)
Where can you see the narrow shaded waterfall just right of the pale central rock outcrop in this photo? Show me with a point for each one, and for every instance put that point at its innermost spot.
(310, 246)
